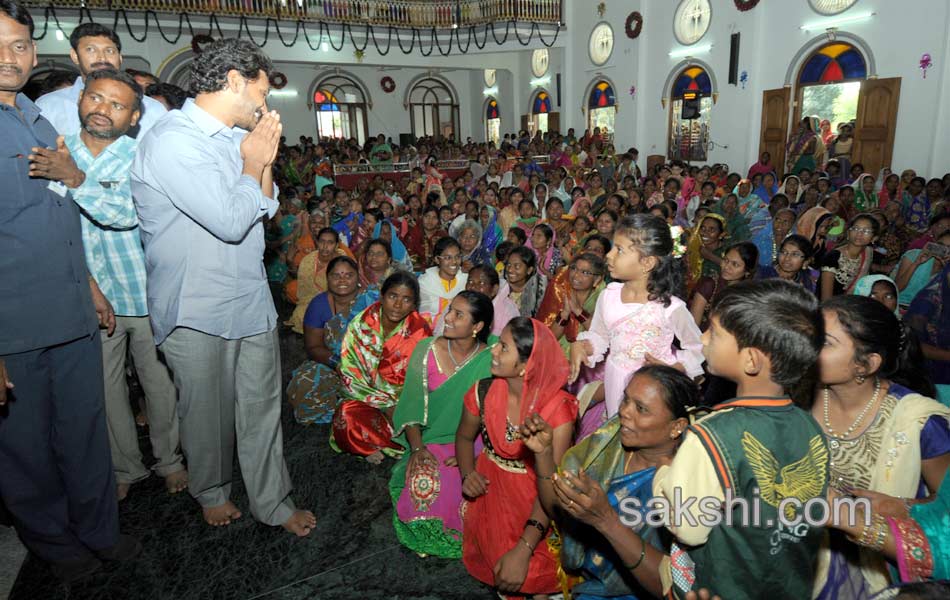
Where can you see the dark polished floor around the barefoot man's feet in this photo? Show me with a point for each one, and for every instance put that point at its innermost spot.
(353, 553)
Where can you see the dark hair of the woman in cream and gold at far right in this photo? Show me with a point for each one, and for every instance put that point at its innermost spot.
(875, 330)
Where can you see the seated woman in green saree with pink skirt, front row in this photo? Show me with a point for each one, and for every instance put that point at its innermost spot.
(425, 485)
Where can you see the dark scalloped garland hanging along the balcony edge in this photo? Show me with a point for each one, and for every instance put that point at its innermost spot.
(445, 47)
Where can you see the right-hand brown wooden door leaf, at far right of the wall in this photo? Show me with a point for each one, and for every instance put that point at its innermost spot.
(876, 123)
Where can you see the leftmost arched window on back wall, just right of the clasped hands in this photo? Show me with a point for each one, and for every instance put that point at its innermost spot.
(340, 108)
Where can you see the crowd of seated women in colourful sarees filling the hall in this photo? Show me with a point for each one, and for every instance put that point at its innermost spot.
(525, 347)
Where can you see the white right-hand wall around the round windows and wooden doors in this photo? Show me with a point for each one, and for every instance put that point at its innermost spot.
(771, 37)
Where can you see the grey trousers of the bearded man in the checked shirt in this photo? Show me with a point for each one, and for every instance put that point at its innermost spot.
(160, 398)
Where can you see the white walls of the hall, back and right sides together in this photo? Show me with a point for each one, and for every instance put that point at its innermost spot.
(897, 35)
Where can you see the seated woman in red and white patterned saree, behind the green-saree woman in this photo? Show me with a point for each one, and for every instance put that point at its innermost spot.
(373, 364)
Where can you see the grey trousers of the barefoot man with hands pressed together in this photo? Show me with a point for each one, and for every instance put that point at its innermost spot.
(228, 389)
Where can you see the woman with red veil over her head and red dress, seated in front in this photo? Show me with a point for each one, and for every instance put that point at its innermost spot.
(505, 529)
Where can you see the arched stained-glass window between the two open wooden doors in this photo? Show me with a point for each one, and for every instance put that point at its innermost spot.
(829, 83)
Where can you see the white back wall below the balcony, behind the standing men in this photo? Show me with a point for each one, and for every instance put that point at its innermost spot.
(388, 115)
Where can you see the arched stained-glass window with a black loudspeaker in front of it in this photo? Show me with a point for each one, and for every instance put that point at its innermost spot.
(691, 103)
